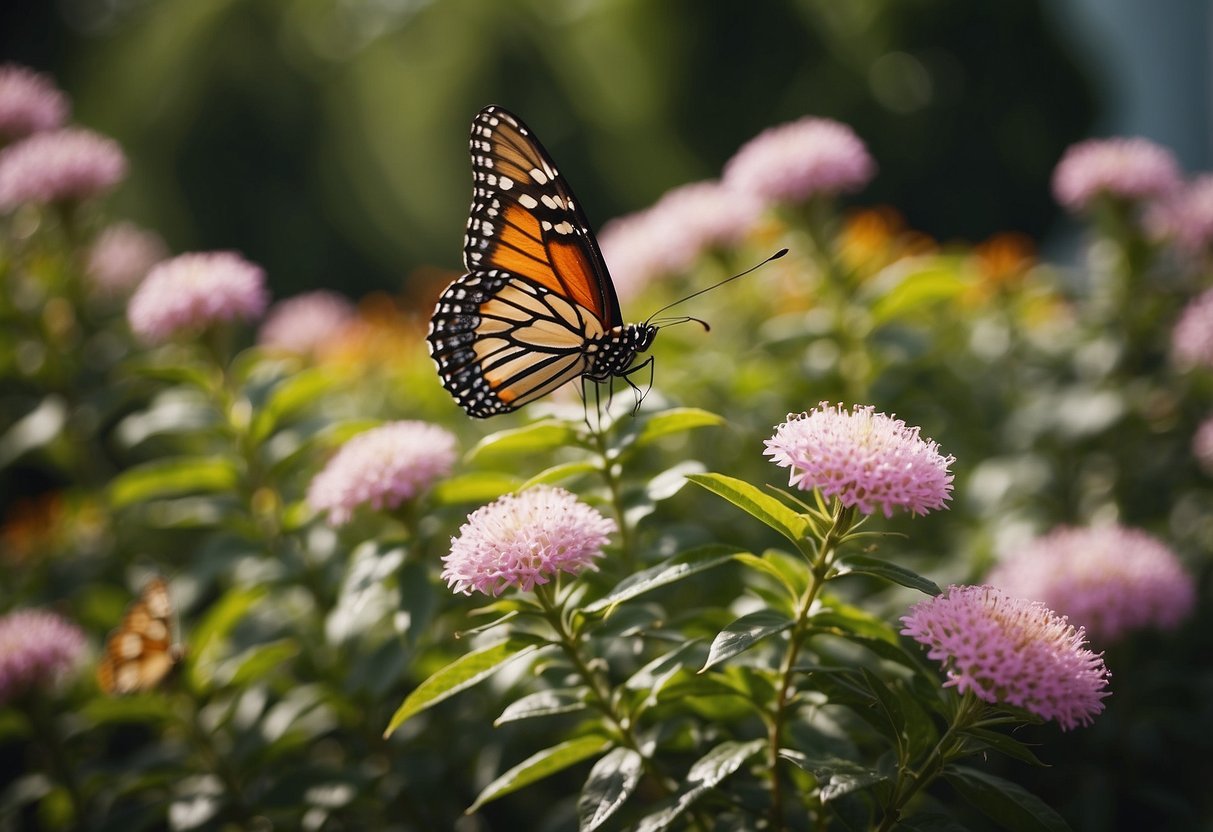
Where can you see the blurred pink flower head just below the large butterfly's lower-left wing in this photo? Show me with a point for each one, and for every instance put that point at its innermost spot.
(383, 469)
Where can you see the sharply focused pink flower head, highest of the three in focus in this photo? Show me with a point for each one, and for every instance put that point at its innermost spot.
(864, 459)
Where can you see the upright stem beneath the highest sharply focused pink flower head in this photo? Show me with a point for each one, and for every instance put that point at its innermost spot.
(844, 521)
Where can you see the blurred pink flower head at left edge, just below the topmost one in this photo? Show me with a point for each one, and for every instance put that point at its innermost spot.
(59, 167)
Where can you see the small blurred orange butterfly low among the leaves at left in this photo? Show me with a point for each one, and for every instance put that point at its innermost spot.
(141, 652)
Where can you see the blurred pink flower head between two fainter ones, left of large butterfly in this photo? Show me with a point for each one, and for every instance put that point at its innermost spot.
(190, 293)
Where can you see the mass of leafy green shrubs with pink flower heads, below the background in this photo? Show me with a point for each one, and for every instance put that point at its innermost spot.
(611, 614)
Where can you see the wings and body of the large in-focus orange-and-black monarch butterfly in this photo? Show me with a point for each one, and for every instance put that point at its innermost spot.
(537, 307)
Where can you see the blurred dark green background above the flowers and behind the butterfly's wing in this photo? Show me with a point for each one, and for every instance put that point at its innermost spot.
(327, 139)
